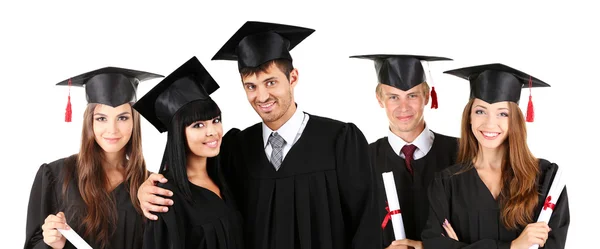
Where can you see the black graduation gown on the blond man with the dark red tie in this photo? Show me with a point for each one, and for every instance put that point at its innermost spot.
(412, 190)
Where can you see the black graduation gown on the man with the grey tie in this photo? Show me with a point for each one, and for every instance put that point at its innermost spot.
(321, 197)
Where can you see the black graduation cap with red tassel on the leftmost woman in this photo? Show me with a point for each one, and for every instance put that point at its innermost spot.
(111, 86)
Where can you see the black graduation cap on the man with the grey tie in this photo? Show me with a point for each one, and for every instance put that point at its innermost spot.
(258, 42)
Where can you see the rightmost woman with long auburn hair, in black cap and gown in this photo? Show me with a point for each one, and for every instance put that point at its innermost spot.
(492, 197)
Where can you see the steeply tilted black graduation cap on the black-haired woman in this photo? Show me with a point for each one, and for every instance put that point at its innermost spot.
(188, 83)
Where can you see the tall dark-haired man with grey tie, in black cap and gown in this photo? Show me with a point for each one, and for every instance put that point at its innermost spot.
(302, 181)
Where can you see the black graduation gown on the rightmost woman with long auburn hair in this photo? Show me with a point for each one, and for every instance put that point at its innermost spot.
(475, 215)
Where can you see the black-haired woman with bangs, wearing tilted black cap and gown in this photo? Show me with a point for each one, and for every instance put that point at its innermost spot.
(203, 214)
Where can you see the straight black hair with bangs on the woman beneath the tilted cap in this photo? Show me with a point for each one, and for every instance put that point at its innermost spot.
(174, 163)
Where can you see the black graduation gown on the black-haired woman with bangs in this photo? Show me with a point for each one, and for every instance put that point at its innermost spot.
(208, 222)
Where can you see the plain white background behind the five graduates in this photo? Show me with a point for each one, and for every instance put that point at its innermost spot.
(46, 42)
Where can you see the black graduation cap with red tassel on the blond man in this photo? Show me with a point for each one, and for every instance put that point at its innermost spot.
(402, 71)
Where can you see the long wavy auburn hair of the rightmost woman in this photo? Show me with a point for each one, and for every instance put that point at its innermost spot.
(520, 168)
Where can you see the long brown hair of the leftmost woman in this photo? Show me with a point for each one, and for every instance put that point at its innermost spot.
(100, 216)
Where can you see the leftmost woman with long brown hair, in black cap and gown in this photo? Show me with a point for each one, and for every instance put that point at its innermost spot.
(94, 191)
